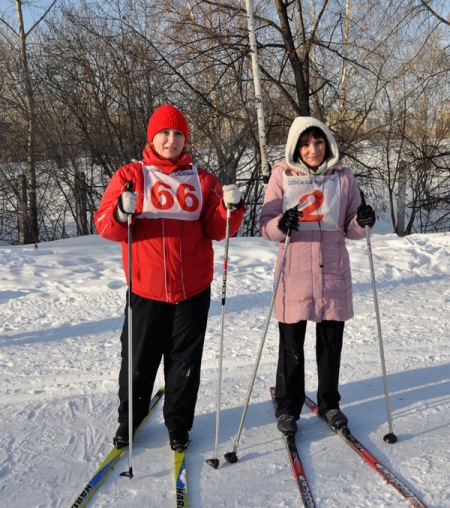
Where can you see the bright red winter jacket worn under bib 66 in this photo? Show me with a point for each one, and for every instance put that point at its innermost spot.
(172, 259)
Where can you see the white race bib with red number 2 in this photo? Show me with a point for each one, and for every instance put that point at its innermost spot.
(317, 197)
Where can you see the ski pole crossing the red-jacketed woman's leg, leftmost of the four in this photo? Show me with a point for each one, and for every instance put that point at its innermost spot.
(129, 473)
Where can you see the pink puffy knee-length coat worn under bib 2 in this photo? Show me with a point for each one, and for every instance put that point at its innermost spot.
(316, 281)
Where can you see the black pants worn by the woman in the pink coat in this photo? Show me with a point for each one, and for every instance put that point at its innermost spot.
(290, 380)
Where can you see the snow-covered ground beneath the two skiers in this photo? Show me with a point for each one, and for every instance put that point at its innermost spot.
(62, 309)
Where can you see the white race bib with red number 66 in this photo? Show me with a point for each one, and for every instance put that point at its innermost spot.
(175, 196)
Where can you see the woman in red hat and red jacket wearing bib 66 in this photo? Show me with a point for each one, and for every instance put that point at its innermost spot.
(177, 210)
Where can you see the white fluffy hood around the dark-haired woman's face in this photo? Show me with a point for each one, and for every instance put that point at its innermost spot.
(299, 125)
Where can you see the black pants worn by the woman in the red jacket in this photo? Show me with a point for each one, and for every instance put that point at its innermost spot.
(177, 333)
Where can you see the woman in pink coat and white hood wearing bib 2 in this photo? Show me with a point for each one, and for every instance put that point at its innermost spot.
(313, 197)
